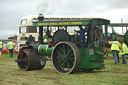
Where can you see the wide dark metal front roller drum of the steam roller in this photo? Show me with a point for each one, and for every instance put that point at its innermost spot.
(30, 60)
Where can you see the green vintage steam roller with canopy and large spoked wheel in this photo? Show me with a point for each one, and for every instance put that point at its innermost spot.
(66, 51)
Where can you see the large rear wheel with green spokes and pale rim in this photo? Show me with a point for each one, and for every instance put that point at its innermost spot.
(66, 57)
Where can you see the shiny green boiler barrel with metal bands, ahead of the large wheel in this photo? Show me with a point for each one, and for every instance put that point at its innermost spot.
(45, 50)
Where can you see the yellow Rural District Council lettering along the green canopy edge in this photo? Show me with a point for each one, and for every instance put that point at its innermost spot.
(60, 23)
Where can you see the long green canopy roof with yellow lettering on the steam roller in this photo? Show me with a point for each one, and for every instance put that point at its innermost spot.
(93, 21)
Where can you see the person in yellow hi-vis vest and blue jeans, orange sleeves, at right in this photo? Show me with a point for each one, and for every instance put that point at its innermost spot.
(115, 47)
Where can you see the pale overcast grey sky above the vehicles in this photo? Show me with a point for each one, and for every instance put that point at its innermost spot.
(11, 11)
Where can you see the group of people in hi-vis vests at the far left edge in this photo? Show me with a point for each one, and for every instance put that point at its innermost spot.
(8, 47)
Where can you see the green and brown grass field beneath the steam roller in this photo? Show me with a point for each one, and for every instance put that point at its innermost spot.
(113, 74)
